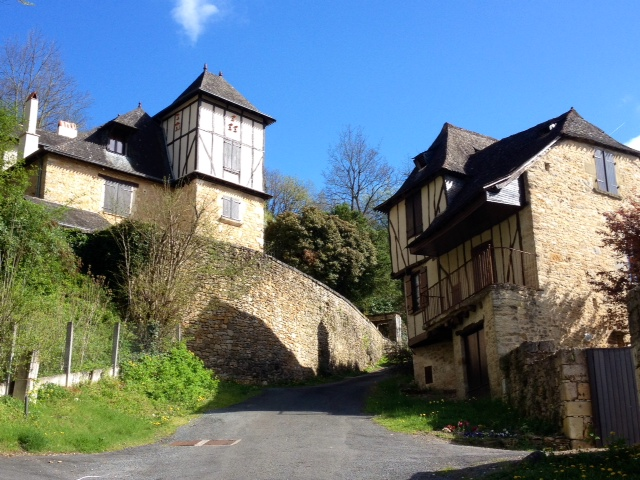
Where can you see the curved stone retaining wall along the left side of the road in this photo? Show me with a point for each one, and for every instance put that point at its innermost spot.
(268, 322)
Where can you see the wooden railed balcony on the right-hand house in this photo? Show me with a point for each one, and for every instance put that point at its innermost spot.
(489, 266)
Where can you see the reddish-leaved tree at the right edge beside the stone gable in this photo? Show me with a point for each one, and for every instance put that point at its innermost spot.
(622, 235)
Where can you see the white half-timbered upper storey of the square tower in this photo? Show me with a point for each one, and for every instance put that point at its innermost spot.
(211, 139)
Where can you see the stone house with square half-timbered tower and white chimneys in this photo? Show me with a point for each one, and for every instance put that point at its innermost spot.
(211, 139)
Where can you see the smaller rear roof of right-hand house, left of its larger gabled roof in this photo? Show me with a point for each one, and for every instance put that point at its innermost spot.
(449, 152)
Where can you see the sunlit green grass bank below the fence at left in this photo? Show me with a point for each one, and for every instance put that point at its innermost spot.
(101, 417)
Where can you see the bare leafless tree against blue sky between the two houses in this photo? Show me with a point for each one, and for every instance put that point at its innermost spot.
(357, 174)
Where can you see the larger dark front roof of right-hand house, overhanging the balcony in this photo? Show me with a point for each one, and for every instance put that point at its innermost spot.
(506, 159)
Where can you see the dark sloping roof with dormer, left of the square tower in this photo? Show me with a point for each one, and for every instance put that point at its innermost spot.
(145, 155)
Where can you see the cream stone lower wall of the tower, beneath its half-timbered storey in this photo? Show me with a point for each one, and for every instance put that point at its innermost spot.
(249, 232)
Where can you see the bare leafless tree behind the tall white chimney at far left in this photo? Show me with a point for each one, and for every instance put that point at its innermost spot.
(36, 66)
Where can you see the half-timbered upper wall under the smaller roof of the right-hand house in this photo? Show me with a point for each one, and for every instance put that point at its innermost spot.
(434, 202)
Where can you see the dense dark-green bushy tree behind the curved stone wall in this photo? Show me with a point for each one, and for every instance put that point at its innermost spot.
(326, 247)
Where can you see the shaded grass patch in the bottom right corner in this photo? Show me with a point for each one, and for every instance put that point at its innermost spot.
(610, 464)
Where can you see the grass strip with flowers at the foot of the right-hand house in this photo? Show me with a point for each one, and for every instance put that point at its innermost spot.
(411, 413)
